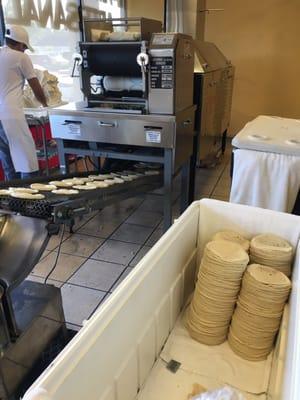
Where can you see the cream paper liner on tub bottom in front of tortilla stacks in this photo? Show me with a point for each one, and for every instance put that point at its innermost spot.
(216, 362)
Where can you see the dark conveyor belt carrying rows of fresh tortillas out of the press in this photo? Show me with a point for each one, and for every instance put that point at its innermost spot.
(63, 208)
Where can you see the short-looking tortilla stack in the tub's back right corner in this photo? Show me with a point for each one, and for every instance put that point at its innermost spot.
(272, 251)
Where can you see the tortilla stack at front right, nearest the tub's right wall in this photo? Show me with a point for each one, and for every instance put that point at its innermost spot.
(257, 317)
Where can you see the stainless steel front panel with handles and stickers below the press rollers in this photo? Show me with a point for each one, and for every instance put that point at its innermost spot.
(144, 130)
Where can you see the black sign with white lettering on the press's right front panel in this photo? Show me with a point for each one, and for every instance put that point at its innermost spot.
(161, 73)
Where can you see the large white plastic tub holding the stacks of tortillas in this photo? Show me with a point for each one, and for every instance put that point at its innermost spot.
(118, 353)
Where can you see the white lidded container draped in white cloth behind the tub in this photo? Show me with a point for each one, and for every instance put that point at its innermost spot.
(266, 169)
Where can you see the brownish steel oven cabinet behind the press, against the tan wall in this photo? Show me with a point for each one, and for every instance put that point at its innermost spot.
(214, 76)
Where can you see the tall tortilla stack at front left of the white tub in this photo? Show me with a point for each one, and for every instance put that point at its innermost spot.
(219, 280)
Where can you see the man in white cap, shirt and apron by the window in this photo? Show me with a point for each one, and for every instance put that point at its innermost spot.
(17, 148)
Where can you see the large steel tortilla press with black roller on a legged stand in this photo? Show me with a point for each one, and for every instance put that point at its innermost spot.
(138, 89)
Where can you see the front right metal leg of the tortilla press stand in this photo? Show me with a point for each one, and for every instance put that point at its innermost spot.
(168, 178)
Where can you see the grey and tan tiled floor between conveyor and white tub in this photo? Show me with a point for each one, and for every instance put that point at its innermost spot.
(107, 245)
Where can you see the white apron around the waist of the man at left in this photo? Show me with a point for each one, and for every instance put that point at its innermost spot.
(21, 144)
